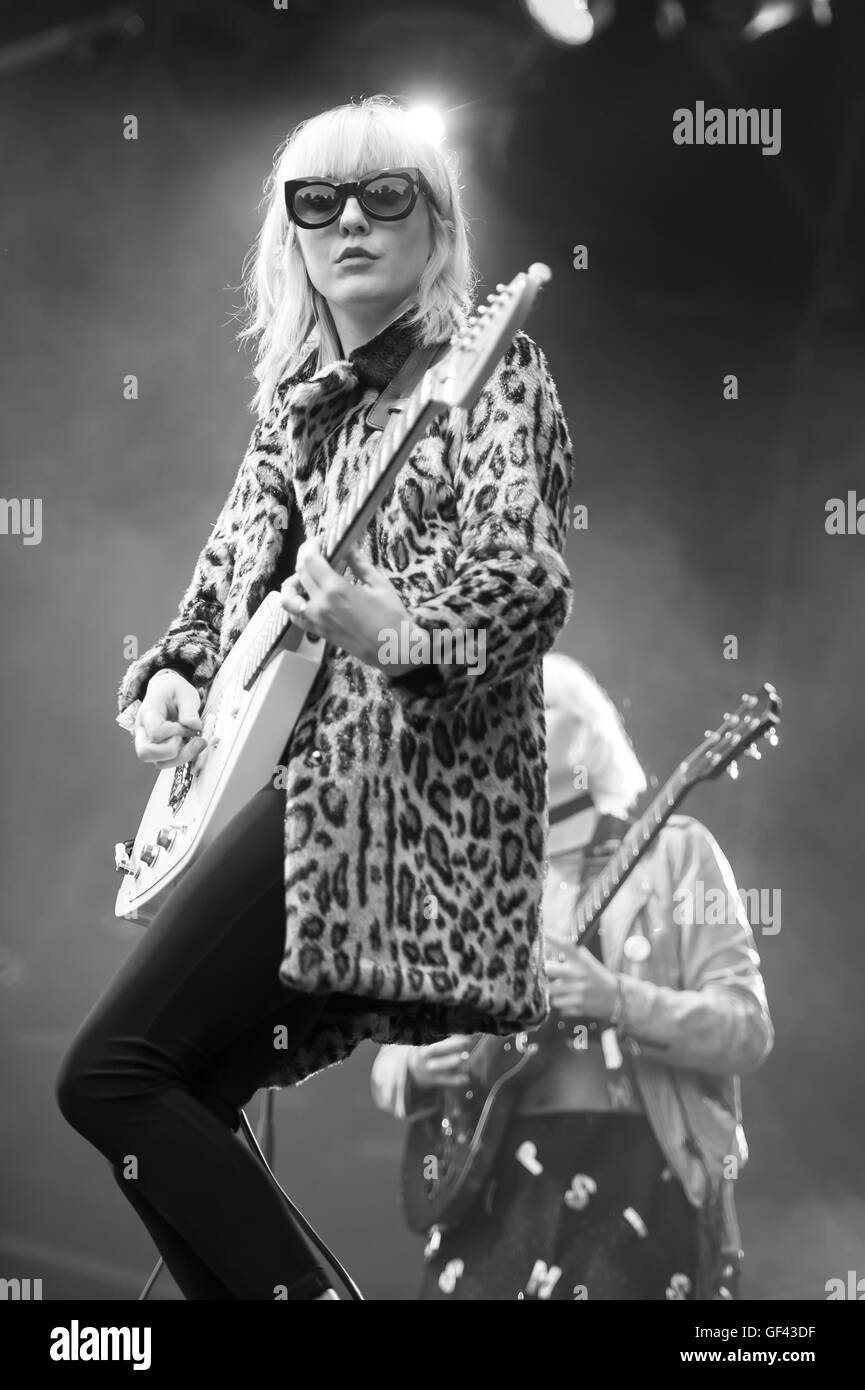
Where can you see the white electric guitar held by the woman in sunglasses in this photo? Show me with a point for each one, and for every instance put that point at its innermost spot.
(261, 689)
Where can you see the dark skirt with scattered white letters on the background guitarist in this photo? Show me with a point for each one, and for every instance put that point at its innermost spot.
(582, 1206)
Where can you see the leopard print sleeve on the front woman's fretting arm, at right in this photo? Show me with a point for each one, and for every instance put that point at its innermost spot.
(512, 469)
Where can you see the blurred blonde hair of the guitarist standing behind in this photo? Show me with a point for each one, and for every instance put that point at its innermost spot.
(600, 743)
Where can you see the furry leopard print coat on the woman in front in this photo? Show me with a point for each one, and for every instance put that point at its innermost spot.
(415, 817)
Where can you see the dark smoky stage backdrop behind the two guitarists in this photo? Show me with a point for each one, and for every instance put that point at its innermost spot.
(707, 518)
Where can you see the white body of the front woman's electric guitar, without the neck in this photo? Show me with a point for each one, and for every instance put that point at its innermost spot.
(248, 732)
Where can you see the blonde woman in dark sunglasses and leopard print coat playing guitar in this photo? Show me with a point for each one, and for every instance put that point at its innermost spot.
(308, 925)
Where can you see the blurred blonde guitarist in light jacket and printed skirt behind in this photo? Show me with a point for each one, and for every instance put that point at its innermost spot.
(615, 1175)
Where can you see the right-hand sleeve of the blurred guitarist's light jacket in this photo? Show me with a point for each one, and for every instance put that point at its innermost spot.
(718, 1022)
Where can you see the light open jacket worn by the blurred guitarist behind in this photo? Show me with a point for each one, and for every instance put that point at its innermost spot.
(696, 1013)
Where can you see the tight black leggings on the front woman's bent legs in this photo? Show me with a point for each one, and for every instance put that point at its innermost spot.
(179, 1042)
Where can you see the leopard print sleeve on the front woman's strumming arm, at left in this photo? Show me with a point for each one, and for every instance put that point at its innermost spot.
(191, 644)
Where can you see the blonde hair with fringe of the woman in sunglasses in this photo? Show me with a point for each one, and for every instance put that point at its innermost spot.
(283, 309)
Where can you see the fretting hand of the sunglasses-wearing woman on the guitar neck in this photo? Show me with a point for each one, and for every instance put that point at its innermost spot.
(350, 615)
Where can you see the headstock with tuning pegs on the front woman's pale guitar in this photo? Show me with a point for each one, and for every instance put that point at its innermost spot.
(461, 375)
